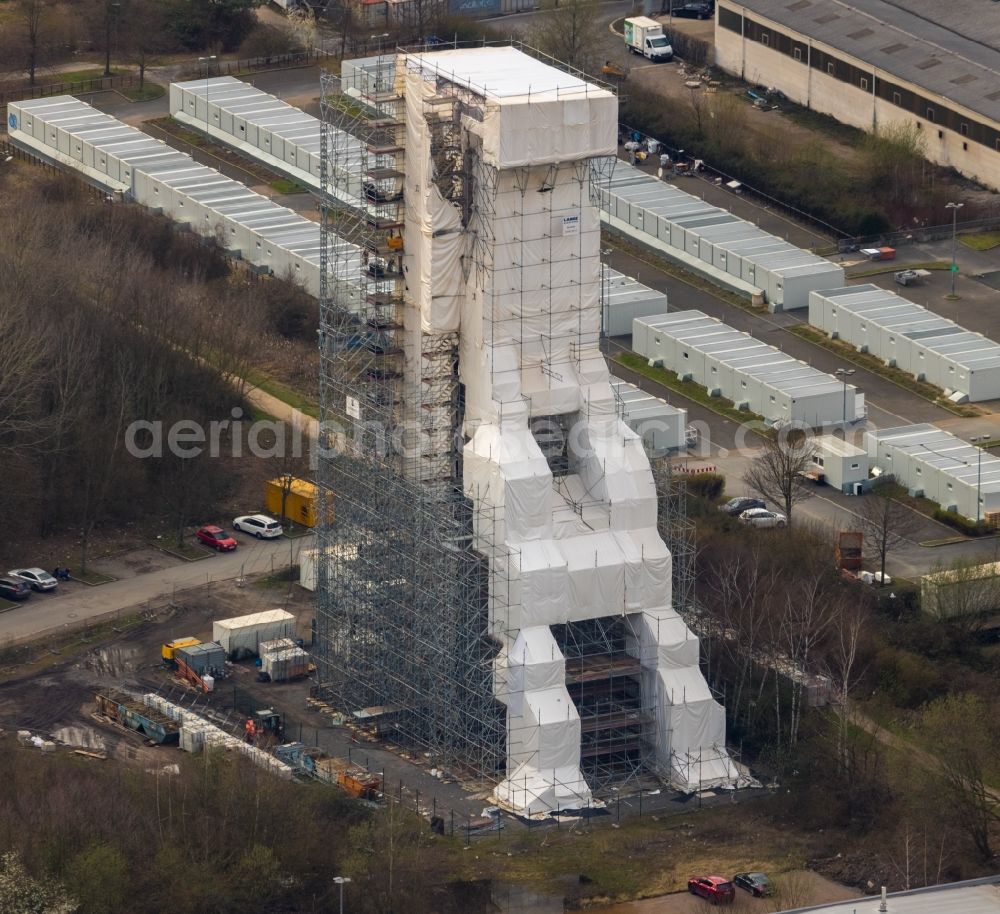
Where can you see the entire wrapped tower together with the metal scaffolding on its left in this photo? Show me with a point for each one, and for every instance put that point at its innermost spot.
(496, 590)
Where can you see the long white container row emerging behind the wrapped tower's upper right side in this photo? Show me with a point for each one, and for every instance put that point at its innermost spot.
(737, 252)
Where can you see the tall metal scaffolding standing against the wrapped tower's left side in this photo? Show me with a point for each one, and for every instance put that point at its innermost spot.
(404, 641)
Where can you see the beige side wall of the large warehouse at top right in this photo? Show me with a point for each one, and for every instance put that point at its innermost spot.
(761, 65)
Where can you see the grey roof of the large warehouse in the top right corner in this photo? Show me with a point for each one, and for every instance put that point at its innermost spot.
(944, 49)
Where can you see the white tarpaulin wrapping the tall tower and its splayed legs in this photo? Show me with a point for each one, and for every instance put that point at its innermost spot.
(576, 540)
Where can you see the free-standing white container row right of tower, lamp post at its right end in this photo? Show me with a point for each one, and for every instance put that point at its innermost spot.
(755, 376)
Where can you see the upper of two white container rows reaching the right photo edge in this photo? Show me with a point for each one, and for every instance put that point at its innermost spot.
(966, 365)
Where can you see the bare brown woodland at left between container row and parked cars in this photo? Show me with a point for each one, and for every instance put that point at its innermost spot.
(111, 316)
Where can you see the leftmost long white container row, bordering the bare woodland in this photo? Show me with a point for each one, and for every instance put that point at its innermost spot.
(120, 158)
